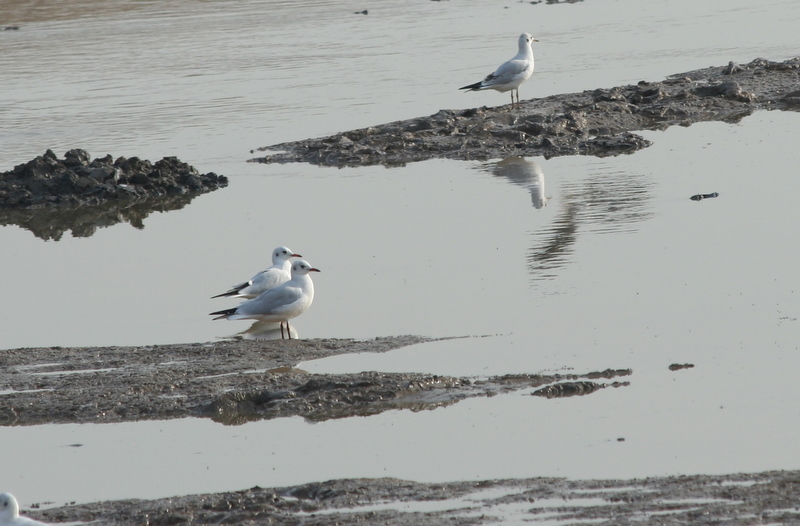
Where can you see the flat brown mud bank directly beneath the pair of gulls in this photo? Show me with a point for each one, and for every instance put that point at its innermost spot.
(234, 382)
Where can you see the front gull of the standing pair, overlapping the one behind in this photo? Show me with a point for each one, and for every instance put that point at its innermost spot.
(282, 303)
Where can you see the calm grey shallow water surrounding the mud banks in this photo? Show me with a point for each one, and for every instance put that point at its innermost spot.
(618, 269)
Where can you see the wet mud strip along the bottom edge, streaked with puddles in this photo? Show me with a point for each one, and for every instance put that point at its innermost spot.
(770, 497)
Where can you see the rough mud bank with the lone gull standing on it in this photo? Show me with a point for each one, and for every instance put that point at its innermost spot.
(598, 122)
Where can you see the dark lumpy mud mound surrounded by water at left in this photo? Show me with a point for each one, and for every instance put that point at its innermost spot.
(51, 196)
